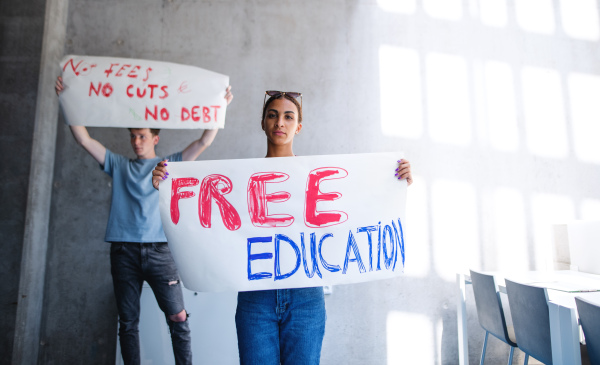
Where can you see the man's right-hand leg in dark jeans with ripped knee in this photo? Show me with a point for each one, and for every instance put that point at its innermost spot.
(161, 273)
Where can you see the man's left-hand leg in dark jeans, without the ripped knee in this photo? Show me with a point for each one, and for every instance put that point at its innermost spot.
(127, 283)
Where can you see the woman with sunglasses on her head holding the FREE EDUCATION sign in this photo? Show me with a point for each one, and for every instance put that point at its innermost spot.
(285, 325)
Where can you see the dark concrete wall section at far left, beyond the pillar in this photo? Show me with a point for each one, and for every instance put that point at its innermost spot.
(22, 28)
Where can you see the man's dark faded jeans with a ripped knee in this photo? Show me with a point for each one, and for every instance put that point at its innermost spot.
(131, 264)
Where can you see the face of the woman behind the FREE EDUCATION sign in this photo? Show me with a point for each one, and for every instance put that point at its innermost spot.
(281, 122)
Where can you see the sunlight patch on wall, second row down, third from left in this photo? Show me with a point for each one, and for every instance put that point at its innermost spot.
(500, 106)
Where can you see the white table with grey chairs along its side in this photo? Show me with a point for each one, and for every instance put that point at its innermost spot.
(564, 324)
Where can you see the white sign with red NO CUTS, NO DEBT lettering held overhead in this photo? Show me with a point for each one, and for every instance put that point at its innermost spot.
(130, 93)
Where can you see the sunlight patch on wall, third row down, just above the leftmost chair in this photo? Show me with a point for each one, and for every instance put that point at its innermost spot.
(510, 230)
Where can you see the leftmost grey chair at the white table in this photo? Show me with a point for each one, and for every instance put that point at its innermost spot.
(490, 313)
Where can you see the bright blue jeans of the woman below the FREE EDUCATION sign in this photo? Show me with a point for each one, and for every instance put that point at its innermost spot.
(280, 326)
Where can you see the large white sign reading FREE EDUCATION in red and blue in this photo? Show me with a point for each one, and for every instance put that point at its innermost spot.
(274, 223)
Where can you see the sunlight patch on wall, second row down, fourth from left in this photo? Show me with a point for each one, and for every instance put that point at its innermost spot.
(545, 123)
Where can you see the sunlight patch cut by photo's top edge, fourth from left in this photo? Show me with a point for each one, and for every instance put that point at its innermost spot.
(536, 16)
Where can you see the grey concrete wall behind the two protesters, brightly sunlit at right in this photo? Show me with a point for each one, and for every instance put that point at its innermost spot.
(489, 104)
